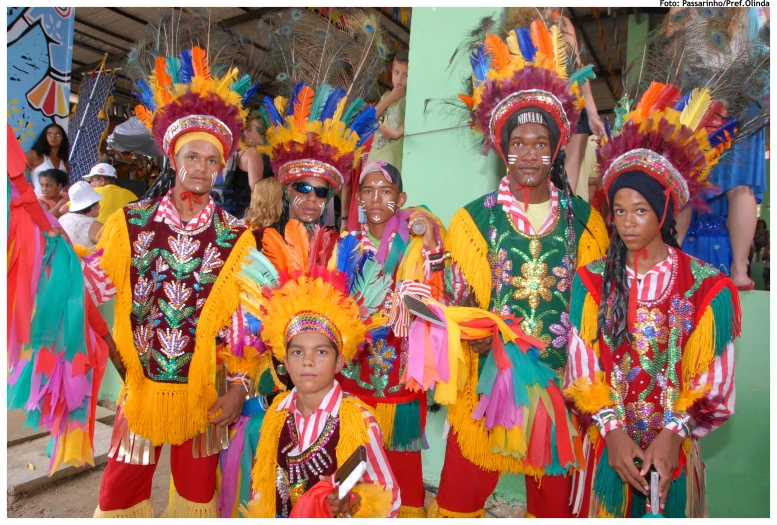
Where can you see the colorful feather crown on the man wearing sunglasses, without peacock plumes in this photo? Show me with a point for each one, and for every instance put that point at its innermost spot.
(315, 134)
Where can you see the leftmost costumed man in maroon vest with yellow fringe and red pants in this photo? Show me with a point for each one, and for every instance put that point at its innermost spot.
(172, 261)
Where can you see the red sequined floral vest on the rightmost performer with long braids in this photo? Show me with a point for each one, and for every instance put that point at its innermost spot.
(645, 376)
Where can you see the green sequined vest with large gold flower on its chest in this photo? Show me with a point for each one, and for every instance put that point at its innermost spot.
(529, 273)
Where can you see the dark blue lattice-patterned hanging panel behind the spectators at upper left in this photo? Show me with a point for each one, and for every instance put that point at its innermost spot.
(89, 124)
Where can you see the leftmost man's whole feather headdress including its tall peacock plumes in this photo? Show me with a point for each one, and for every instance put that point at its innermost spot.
(182, 88)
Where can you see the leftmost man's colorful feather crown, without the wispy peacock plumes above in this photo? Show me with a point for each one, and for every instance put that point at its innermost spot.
(181, 96)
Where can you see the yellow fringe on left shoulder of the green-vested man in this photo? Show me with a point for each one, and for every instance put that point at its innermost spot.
(469, 250)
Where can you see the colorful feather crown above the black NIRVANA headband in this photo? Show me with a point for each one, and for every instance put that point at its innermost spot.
(527, 69)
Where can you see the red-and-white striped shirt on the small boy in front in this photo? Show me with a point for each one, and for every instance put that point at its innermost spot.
(310, 428)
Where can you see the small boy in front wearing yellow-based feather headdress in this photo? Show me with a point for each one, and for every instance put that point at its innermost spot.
(317, 303)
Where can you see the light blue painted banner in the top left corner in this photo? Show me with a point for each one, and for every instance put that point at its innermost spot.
(40, 55)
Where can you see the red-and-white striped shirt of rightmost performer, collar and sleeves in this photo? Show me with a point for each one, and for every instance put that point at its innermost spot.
(719, 378)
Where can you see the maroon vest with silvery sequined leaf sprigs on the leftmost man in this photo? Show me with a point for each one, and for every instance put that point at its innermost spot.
(172, 272)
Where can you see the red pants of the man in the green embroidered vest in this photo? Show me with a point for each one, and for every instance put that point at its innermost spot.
(465, 487)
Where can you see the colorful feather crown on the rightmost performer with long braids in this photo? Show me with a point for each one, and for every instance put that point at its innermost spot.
(674, 139)
